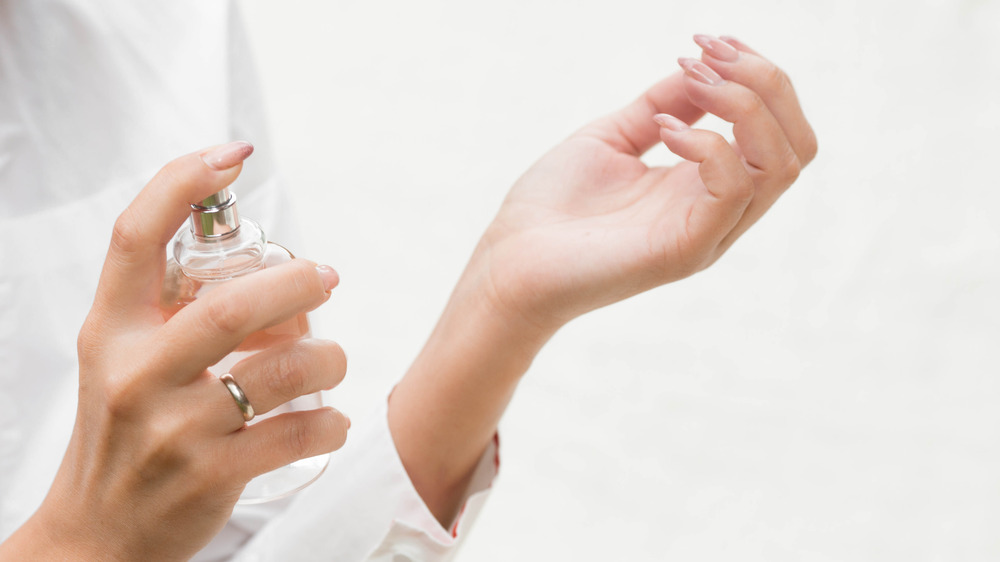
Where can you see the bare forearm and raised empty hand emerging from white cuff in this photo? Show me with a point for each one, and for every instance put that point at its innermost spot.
(589, 225)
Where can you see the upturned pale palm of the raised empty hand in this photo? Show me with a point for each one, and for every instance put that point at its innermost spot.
(590, 219)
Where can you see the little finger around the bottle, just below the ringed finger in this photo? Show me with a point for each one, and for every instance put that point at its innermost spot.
(281, 440)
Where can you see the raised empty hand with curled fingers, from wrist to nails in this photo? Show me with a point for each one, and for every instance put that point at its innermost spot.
(590, 224)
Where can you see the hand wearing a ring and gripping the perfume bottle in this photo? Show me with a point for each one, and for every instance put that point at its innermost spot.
(160, 451)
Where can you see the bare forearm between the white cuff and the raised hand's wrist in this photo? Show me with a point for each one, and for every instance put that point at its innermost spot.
(445, 411)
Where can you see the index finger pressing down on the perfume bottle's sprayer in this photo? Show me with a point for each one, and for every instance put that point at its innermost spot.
(133, 270)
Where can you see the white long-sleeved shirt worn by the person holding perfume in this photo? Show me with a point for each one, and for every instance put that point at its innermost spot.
(95, 96)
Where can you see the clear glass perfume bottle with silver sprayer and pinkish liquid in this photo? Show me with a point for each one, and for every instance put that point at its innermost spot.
(217, 246)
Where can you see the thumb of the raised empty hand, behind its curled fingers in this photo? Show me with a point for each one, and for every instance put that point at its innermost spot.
(631, 130)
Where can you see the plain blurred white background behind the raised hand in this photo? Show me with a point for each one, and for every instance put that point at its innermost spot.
(827, 391)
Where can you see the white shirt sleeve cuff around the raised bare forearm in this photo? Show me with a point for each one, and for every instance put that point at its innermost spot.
(363, 507)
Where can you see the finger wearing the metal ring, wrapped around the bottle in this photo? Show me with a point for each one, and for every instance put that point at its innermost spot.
(278, 374)
